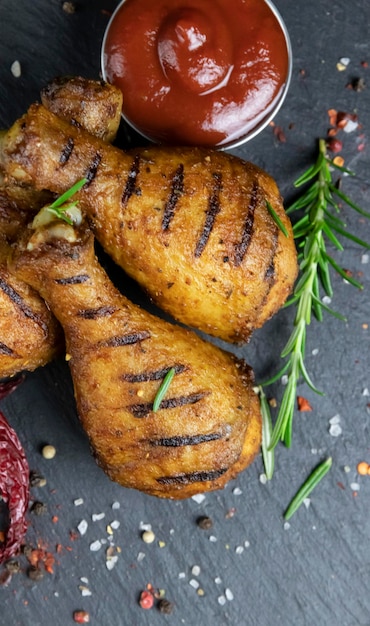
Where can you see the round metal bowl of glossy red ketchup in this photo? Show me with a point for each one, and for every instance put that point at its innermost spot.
(198, 72)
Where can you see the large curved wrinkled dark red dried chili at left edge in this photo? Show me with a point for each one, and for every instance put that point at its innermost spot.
(14, 488)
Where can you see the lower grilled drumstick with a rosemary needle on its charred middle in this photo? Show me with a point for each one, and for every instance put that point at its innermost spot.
(208, 425)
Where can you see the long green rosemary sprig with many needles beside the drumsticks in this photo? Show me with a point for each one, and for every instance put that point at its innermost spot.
(318, 223)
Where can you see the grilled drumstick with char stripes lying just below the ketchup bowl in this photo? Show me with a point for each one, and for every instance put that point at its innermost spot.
(191, 225)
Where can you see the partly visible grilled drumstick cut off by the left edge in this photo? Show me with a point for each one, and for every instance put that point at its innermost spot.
(30, 336)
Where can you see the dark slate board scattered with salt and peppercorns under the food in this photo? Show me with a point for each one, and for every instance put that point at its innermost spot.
(317, 571)
